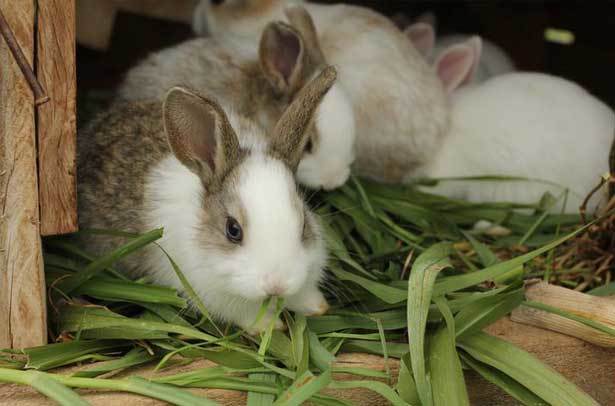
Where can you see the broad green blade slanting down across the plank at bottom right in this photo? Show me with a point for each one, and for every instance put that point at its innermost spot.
(524, 368)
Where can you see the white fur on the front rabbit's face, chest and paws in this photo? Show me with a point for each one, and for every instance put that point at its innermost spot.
(233, 284)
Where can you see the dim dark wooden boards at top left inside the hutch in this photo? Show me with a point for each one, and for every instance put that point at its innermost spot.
(95, 18)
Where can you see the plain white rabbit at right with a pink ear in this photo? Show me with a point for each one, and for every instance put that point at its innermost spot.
(519, 124)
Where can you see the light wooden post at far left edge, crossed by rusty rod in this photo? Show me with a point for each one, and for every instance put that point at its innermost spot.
(22, 294)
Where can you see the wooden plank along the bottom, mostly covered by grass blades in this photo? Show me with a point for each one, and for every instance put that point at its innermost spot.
(590, 367)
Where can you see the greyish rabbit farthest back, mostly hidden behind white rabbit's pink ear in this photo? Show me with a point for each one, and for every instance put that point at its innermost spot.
(493, 61)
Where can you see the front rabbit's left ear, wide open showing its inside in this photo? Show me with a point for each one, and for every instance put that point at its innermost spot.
(200, 134)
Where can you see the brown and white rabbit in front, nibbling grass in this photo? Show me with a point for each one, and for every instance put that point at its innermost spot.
(222, 189)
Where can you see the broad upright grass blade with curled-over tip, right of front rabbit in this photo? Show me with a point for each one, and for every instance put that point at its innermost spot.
(420, 288)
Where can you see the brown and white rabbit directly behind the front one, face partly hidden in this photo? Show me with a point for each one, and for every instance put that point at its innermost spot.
(259, 83)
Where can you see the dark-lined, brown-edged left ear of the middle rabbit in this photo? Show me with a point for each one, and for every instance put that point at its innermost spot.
(282, 54)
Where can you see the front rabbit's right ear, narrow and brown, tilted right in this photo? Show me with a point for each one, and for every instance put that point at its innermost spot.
(291, 134)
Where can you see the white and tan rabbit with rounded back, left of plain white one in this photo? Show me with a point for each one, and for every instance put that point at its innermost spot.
(399, 105)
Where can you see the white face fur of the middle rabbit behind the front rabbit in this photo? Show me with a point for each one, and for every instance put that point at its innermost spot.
(329, 163)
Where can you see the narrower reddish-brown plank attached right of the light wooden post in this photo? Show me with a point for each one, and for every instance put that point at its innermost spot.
(56, 126)
